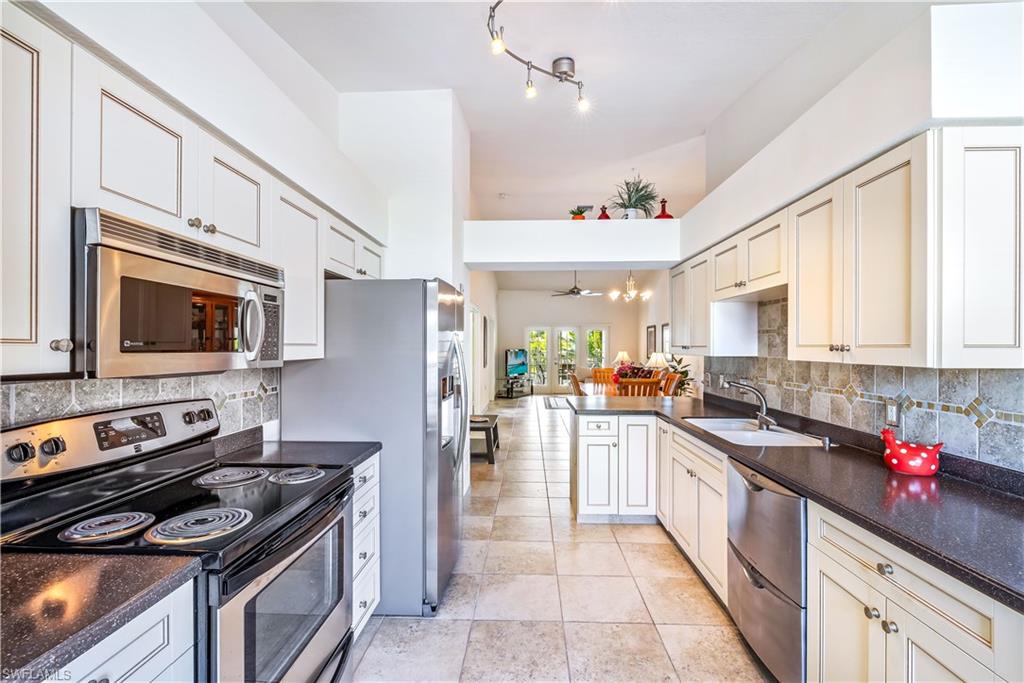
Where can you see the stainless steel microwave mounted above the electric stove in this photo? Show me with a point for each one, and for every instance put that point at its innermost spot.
(152, 303)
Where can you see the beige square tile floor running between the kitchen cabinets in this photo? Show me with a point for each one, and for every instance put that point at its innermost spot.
(537, 597)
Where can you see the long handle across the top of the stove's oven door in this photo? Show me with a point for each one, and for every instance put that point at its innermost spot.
(286, 542)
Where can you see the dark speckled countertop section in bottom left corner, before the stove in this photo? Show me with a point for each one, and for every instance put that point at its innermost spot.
(55, 607)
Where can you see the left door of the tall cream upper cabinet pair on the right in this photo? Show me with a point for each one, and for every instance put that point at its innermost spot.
(816, 292)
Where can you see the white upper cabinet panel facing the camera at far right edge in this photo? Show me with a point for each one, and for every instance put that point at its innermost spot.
(983, 267)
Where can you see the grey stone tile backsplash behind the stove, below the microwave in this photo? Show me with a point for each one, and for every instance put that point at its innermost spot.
(244, 398)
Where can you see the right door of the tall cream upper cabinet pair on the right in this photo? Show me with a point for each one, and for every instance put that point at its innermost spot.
(886, 224)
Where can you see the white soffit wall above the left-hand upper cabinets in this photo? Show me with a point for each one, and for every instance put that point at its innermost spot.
(180, 49)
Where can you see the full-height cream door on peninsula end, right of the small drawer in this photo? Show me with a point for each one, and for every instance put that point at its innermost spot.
(637, 465)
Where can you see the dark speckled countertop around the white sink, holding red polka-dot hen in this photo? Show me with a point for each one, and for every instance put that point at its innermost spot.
(973, 533)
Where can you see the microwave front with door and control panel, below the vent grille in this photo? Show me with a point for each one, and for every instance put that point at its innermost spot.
(157, 318)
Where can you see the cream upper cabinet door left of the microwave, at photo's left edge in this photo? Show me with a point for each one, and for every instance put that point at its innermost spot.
(35, 280)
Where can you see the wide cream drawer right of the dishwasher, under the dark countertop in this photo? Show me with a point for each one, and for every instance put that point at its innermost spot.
(985, 629)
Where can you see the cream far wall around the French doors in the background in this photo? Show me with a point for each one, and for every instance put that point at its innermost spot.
(520, 310)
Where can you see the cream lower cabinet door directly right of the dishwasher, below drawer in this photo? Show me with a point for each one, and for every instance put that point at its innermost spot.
(845, 642)
